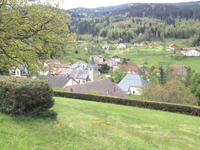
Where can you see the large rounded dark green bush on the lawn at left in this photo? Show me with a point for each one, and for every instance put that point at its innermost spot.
(24, 96)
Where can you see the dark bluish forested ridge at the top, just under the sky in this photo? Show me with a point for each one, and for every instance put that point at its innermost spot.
(160, 11)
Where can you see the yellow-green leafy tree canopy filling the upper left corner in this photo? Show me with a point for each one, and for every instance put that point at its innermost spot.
(32, 31)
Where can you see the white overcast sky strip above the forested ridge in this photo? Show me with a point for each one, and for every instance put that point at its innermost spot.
(98, 3)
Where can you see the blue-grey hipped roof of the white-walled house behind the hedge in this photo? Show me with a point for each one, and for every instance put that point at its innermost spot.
(132, 80)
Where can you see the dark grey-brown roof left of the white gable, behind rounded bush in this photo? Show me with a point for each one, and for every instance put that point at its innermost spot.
(57, 81)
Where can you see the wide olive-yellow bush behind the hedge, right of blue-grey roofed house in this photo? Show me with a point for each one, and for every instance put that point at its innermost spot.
(173, 92)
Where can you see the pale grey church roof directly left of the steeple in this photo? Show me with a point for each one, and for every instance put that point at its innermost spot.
(77, 74)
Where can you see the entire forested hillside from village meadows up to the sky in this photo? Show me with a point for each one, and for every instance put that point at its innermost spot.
(140, 21)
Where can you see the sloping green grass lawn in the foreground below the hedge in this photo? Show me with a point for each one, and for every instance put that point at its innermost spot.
(91, 125)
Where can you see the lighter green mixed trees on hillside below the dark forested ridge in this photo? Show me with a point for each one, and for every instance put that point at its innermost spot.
(137, 29)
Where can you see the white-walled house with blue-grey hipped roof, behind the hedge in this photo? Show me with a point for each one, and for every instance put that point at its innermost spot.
(132, 83)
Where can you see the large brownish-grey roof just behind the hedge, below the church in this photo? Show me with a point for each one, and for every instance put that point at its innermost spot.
(101, 86)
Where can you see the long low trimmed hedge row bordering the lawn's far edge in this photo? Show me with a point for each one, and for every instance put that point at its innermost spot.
(190, 110)
